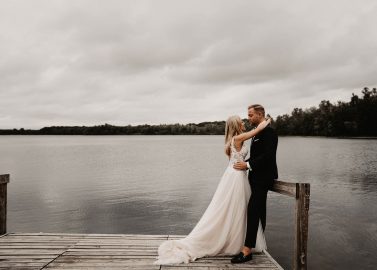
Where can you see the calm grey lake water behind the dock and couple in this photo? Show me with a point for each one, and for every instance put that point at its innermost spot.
(163, 184)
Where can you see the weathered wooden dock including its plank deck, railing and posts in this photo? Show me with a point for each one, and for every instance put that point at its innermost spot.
(132, 251)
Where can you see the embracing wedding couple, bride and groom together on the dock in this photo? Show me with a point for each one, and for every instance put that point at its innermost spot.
(234, 221)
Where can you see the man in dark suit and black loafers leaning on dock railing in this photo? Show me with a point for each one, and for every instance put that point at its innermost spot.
(262, 173)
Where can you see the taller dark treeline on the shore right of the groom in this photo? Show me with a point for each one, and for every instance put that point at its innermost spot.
(358, 117)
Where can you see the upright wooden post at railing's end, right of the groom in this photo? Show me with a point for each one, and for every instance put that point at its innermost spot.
(301, 227)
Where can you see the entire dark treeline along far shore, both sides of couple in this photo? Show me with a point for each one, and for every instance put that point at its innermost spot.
(358, 117)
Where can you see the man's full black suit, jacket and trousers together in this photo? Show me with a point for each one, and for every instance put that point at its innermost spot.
(261, 178)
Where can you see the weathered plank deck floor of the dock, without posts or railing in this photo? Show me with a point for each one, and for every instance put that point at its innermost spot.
(104, 251)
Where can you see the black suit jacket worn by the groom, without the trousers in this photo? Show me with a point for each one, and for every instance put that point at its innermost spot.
(263, 158)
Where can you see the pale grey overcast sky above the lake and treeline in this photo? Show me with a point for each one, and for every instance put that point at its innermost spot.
(134, 62)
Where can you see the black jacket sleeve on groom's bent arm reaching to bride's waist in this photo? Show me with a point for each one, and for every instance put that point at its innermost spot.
(270, 143)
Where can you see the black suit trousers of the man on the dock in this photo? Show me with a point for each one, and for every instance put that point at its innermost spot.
(256, 211)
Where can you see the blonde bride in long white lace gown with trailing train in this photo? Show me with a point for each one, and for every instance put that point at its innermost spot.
(222, 228)
